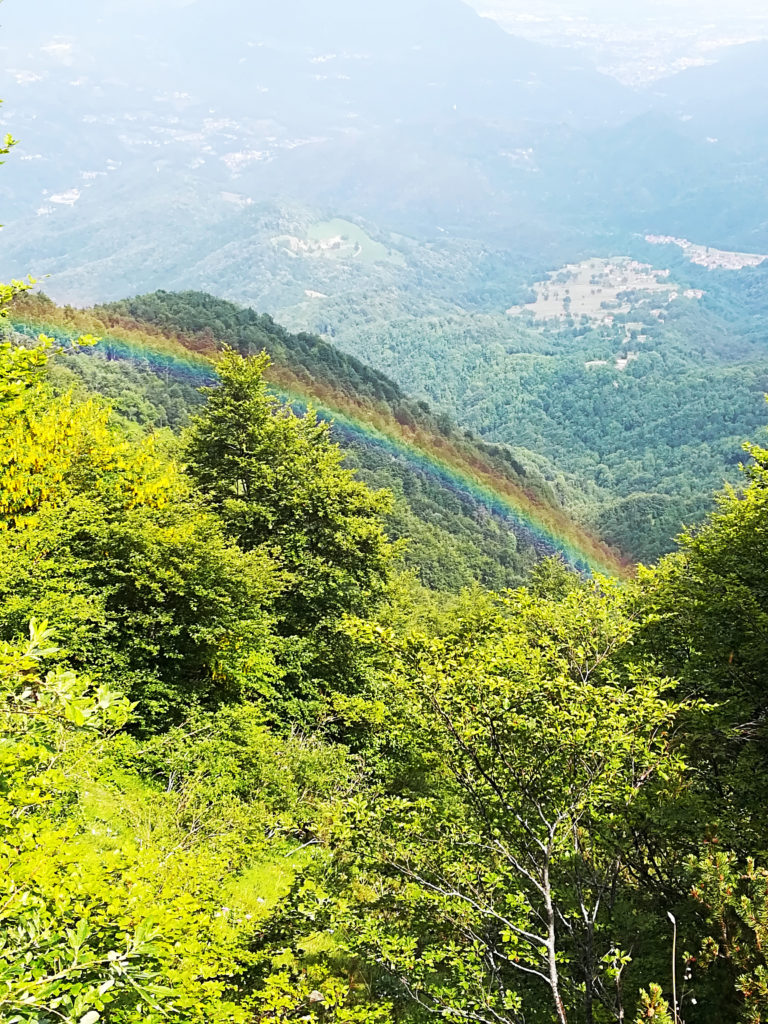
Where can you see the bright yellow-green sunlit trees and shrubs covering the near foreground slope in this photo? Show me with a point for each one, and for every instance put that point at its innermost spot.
(254, 772)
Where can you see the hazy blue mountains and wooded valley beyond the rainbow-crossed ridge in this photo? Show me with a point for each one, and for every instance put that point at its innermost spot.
(398, 176)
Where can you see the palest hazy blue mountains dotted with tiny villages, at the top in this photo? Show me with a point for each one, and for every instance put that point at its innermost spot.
(151, 133)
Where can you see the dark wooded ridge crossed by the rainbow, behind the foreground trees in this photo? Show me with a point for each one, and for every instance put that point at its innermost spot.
(457, 535)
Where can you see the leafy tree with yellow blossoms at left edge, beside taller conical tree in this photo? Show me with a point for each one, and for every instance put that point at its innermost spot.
(102, 535)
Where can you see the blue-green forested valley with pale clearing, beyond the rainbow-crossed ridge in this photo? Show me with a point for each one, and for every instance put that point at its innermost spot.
(637, 451)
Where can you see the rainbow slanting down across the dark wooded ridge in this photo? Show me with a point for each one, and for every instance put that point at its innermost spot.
(455, 464)
